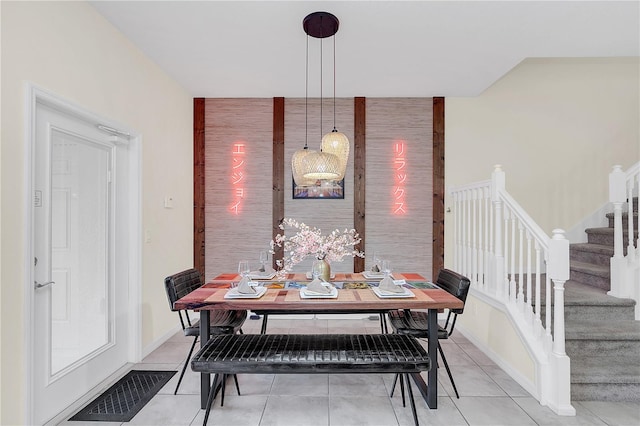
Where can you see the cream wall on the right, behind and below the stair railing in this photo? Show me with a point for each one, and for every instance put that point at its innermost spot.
(557, 126)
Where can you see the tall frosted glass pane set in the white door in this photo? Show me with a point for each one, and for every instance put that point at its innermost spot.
(80, 202)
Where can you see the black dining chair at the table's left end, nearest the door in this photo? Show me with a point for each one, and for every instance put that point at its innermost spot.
(222, 322)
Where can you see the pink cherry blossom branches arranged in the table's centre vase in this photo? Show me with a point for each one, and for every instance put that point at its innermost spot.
(308, 241)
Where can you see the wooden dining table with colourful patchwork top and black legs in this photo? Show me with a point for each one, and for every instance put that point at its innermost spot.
(283, 295)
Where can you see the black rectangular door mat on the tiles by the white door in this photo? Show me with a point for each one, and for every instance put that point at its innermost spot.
(124, 399)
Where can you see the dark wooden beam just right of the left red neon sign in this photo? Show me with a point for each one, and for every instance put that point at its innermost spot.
(278, 172)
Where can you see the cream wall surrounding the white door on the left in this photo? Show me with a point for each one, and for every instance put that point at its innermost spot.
(68, 49)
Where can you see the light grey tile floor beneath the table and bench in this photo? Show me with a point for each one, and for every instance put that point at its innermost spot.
(488, 396)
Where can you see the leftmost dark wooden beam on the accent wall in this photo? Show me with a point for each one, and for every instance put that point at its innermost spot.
(198, 185)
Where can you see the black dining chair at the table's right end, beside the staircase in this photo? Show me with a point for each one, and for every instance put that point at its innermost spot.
(415, 323)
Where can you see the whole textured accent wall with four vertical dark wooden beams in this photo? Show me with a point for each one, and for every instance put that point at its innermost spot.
(223, 239)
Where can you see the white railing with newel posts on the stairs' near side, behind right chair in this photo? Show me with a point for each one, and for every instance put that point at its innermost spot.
(509, 259)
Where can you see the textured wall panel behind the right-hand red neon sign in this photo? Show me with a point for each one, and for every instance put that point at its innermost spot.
(405, 239)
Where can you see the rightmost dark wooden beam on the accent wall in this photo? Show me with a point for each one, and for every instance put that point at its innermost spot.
(438, 185)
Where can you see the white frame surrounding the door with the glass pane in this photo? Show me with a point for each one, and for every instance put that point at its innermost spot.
(34, 95)
